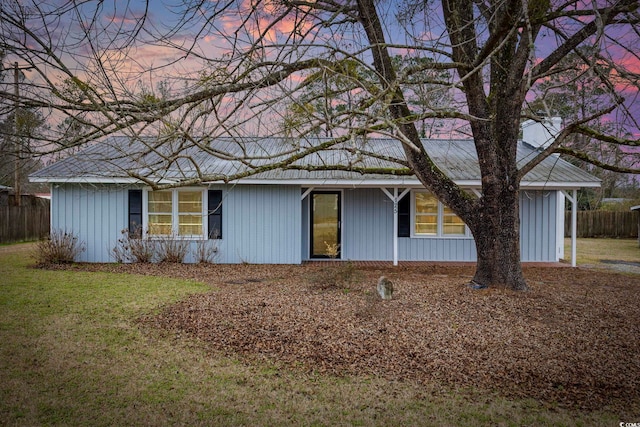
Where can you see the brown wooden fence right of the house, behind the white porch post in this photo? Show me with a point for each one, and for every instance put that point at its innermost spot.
(604, 224)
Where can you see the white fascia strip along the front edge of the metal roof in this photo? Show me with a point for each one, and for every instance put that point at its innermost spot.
(398, 182)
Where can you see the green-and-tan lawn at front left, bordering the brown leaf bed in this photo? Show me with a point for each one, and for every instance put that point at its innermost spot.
(72, 353)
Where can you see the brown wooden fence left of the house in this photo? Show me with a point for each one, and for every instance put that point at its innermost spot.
(31, 221)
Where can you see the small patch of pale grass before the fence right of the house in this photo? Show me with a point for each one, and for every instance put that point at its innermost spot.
(594, 251)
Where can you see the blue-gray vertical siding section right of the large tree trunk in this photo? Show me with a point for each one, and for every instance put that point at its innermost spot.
(538, 217)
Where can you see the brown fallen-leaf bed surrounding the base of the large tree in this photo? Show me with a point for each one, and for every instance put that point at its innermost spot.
(573, 339)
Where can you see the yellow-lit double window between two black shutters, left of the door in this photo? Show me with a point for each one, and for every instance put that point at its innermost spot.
(177, 211)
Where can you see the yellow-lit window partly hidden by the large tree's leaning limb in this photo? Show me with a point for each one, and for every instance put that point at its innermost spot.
(432, 218)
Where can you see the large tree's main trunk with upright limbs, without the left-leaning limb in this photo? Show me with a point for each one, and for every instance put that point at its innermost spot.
(496, 223)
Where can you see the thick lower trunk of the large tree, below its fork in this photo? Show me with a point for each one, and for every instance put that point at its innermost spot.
(497, 237)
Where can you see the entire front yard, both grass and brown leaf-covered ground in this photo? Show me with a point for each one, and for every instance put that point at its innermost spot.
(312, 345)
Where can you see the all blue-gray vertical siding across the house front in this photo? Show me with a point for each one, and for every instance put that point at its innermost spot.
(268, 224)
